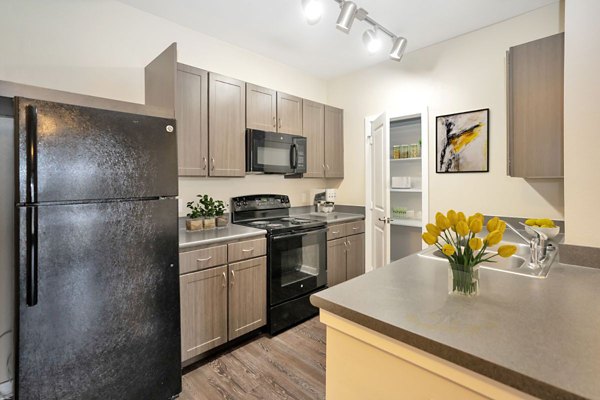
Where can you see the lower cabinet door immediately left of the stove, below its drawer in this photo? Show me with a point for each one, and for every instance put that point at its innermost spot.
(247, 296)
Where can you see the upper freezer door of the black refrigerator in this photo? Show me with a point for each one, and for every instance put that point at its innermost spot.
(82, 154)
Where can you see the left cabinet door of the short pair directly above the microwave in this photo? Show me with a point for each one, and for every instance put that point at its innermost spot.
(261, 108)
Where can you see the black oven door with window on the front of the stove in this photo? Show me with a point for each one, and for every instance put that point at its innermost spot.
(297, 264)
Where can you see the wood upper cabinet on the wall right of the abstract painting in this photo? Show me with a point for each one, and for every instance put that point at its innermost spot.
(535, 108)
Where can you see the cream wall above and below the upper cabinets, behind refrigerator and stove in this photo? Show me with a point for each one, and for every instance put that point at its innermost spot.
(100, 48)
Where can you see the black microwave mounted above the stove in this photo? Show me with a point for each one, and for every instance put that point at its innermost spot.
(275, 153)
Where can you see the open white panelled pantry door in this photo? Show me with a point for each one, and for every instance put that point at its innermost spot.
(380, 191)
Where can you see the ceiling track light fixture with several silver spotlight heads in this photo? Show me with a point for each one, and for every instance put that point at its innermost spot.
(348, 13)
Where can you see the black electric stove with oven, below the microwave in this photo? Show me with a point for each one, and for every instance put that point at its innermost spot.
(296, 256)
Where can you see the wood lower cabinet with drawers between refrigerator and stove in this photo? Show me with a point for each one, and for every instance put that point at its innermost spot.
(222, 302)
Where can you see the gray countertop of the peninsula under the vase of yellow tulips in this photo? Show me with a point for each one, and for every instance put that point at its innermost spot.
(540, 336)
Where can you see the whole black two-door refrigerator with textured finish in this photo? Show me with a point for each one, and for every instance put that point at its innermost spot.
(97, 291)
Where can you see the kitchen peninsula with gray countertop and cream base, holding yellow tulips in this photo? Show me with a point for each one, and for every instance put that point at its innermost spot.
(395, 333)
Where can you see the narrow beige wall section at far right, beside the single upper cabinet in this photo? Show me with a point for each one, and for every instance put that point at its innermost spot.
(582, 137)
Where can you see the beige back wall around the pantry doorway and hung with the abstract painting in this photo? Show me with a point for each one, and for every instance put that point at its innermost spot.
(461, 74)
